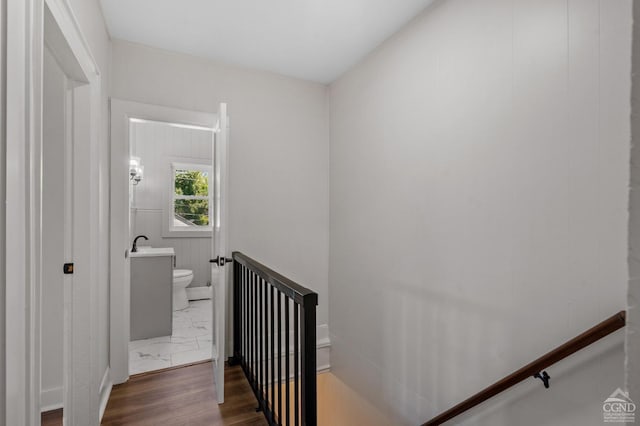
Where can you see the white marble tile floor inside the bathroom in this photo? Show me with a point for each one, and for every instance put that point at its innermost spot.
(191, 341)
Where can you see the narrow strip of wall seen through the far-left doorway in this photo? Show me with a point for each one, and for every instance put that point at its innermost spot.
(54, 93)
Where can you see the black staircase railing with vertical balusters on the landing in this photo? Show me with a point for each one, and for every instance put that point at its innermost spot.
(274, 330)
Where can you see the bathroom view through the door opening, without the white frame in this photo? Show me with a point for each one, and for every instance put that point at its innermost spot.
(171, 207)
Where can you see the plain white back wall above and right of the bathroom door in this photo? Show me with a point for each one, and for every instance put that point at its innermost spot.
(279, 152)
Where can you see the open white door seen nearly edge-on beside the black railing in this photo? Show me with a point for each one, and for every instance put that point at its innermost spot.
(219, 247)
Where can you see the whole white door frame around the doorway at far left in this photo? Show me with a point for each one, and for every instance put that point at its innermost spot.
(24, 50)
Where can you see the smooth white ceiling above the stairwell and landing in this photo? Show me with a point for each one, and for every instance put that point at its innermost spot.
(310, 39)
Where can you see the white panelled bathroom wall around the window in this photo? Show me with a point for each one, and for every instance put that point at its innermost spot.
(158, 145)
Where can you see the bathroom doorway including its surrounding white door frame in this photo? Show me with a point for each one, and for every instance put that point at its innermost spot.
(165, 198)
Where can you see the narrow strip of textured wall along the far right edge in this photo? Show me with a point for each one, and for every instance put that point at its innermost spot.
(633, 314)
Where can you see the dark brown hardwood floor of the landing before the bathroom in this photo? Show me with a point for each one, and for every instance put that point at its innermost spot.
(182, 396)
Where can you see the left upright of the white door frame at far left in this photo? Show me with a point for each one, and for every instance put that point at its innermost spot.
(20, 366)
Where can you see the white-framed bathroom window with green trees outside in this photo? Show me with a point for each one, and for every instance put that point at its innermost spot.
(191, 200)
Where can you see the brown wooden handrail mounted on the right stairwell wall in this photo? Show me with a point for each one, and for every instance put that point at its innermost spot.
(590, 336)
